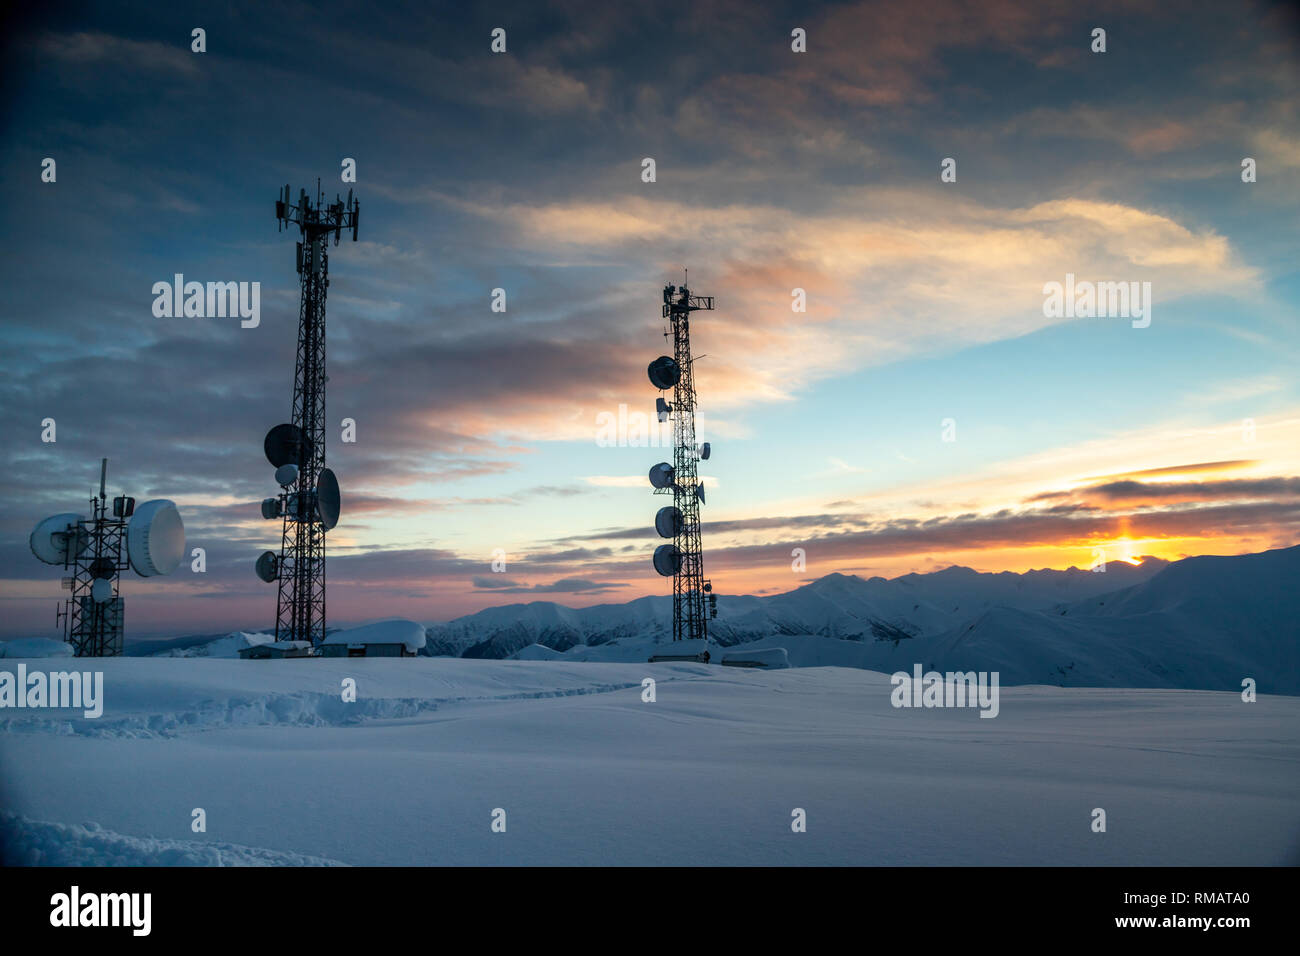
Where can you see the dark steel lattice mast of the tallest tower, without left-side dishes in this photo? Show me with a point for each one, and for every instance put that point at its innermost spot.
(301, 600)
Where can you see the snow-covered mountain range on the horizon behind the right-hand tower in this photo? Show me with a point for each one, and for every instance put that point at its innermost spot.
(1204, 622)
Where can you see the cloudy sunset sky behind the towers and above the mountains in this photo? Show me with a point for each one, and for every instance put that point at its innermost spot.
(928, 409)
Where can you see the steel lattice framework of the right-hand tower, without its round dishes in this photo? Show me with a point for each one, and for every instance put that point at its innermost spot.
(690, 615)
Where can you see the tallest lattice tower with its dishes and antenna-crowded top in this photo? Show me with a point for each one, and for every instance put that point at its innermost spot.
(309, 503)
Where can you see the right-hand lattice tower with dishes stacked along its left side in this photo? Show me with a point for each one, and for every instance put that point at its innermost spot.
(694, 602)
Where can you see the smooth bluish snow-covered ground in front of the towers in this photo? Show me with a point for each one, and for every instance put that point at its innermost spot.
(590, 773)
